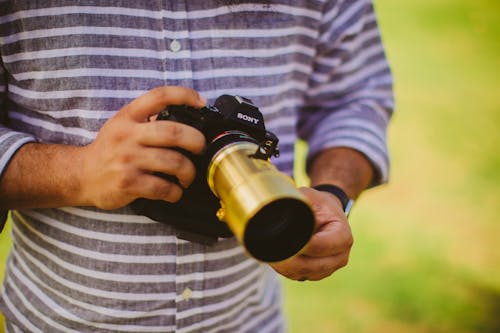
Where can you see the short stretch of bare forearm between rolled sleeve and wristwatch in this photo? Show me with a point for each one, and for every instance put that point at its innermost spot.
(344, 167)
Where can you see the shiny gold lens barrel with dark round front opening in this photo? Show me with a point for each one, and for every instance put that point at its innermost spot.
(261, 205)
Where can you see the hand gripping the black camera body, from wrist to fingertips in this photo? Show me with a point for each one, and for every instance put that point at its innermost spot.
(119, 165)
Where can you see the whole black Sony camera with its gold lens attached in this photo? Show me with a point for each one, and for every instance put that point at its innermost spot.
(237, 190)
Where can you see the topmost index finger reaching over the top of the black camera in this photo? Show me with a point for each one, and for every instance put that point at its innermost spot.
(155, 100)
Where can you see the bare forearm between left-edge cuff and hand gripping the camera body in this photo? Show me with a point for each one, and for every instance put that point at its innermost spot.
(42, 176)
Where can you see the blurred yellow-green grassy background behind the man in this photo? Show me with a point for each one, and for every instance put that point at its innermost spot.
(425, 257)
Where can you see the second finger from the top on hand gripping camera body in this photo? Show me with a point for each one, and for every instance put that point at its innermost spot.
(171, 134)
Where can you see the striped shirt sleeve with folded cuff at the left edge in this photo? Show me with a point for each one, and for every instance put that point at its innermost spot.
(10, 140)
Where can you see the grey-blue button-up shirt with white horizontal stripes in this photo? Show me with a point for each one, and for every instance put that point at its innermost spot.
(317, 71)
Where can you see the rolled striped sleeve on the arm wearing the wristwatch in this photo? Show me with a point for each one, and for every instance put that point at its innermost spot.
(349, 101)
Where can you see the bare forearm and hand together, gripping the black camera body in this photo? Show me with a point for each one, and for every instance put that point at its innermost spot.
(118, 167)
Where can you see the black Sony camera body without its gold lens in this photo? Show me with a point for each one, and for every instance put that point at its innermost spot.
(231, 120)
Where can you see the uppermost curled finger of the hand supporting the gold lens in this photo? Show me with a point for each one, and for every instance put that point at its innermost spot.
(332, 239)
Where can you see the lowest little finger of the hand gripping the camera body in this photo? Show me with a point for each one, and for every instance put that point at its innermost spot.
(155, 188)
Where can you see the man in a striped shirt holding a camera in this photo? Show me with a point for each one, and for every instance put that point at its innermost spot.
(80, 82)
